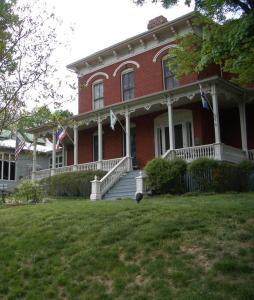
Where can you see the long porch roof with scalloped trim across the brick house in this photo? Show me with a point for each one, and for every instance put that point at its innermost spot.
(175, 94)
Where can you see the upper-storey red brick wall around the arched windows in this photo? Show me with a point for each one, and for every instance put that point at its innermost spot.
(148, 79)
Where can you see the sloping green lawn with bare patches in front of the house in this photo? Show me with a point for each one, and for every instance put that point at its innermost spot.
(164, 248)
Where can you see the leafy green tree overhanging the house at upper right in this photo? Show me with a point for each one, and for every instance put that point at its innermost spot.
(227, 39)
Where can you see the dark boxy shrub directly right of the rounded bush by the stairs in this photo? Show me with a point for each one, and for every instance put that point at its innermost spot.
(202, 170)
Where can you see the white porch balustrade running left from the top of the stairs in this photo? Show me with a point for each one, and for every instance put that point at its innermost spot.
(104, 165)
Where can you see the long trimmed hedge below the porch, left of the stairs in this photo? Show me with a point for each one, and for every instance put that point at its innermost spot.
(74, 184)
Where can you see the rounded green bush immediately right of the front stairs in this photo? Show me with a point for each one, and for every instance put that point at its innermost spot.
(165, 176)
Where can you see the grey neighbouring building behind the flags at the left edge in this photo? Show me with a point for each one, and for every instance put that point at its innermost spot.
(12, 171)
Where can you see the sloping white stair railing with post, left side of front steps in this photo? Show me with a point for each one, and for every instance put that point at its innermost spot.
(100, 187)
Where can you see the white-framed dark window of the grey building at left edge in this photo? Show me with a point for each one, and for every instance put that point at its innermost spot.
(7, 166)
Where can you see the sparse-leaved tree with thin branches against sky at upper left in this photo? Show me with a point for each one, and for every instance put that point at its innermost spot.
(27, 42)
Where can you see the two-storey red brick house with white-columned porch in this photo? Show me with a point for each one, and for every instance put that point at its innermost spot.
(160, 116)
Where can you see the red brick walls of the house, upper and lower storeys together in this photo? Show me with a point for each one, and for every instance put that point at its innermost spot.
(149, 79)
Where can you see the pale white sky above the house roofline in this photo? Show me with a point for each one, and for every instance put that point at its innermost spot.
(98, 24)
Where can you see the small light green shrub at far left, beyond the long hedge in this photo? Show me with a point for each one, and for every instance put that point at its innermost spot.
(28, 191)
